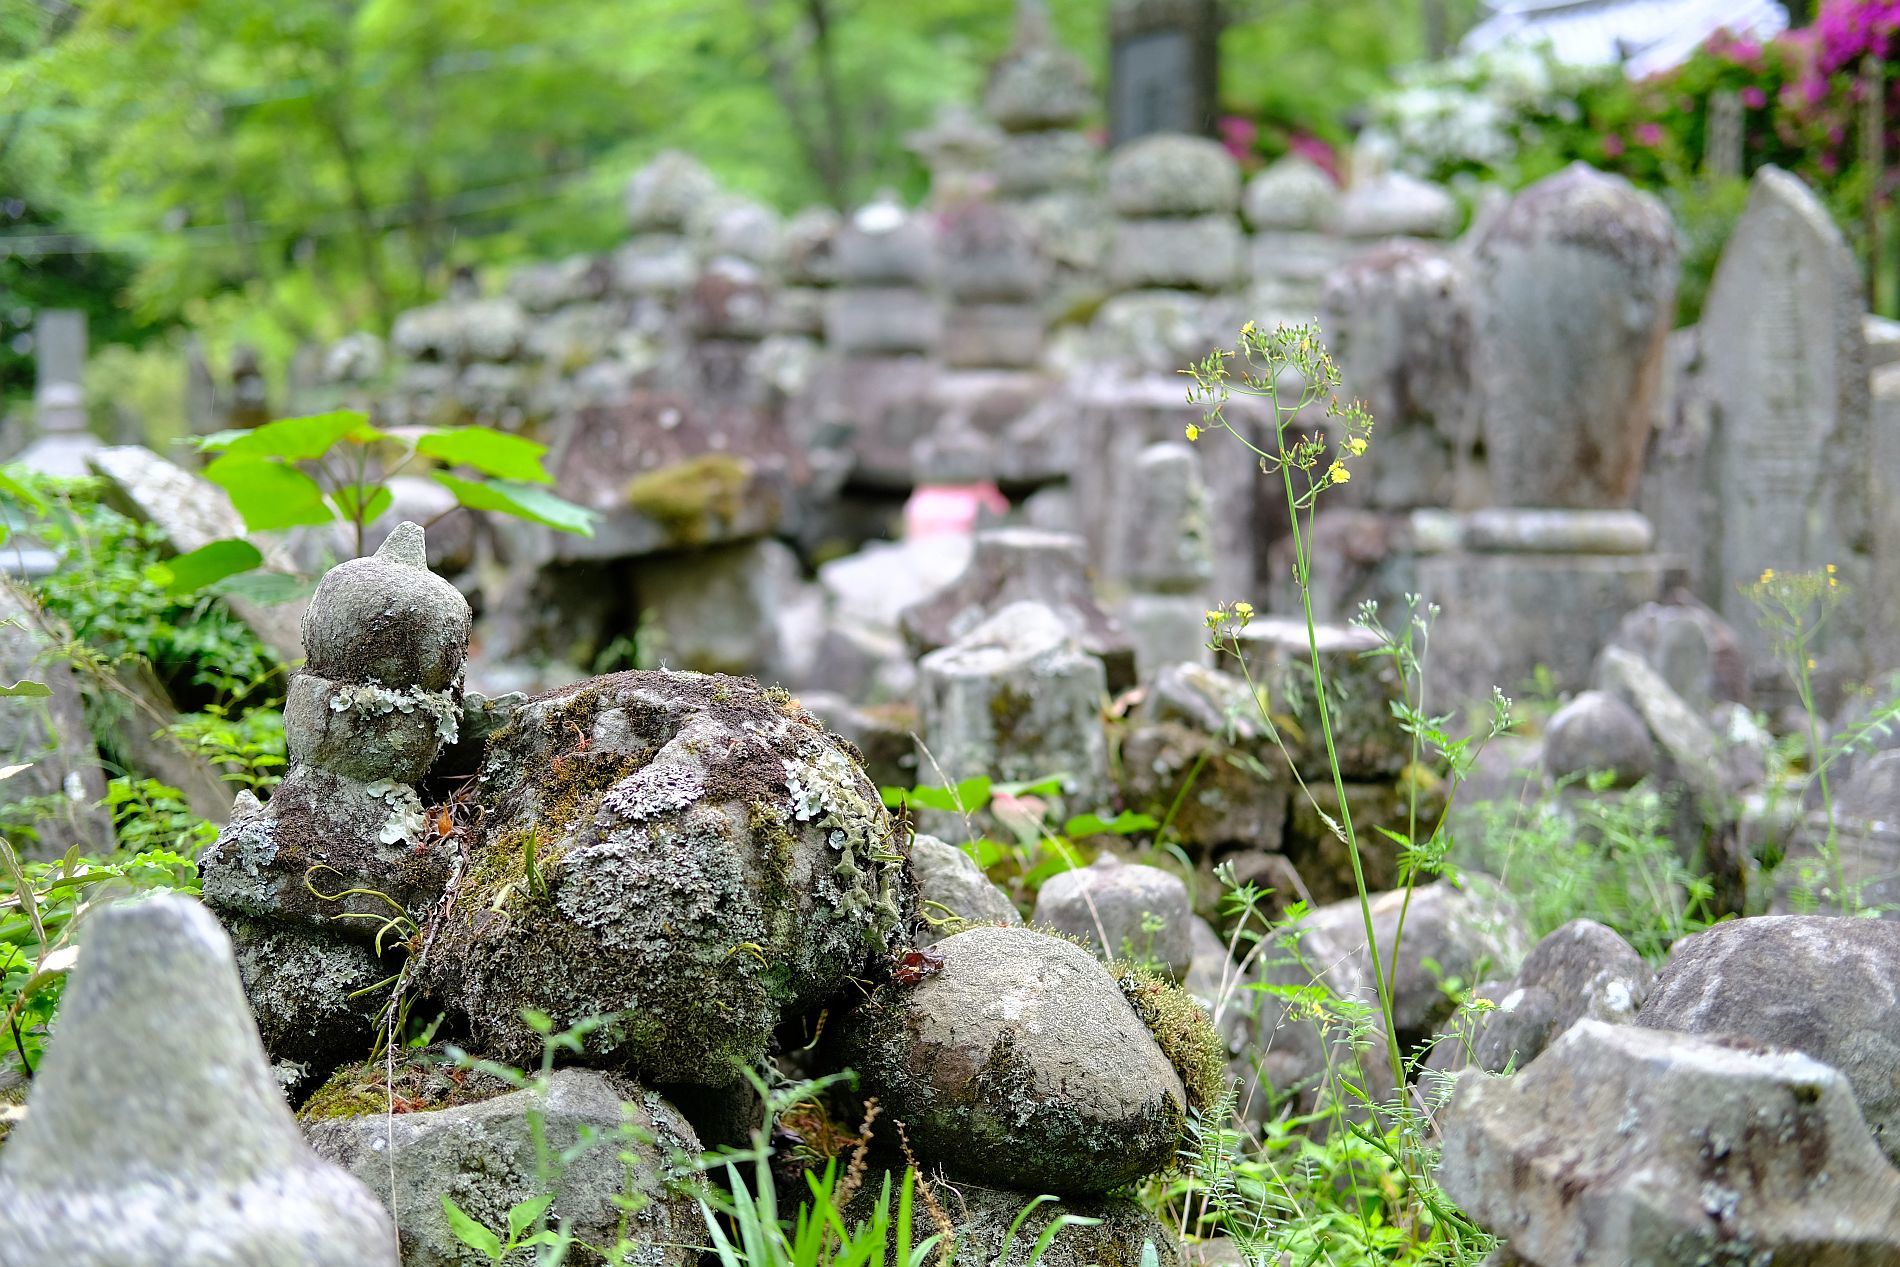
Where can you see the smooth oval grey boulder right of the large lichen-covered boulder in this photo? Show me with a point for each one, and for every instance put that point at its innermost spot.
(1019, 1063)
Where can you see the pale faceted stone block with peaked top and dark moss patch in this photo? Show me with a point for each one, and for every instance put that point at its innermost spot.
(1016, 700)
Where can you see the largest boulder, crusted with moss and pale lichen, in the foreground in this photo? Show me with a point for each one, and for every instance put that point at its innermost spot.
(689, 856)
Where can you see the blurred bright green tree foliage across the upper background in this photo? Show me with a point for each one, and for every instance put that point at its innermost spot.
(286, 172)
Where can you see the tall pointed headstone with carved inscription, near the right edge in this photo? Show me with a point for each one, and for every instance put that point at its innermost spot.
(1783, 368)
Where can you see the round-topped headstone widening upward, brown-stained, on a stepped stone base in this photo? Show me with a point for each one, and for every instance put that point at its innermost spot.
(1574, 290)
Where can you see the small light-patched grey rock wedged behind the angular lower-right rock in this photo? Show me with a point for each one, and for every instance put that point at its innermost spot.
(1582, 970)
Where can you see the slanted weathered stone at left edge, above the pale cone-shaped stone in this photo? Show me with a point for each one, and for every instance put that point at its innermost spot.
(48, 736)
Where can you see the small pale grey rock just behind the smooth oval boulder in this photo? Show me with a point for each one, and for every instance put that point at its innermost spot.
(1124, 911)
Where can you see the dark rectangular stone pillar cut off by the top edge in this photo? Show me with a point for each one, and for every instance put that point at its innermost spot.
(1164, 67)
